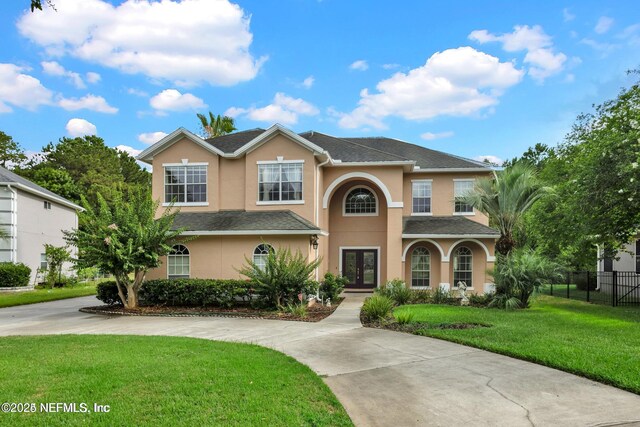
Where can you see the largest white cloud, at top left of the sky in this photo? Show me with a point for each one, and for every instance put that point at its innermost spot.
(187, 42)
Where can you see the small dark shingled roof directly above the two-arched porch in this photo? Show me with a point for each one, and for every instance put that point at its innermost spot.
(445, 226)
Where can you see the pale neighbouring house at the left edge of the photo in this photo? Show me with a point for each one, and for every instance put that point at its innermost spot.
(32, 216)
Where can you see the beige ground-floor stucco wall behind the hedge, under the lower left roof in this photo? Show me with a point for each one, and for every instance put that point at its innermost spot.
(219, 256)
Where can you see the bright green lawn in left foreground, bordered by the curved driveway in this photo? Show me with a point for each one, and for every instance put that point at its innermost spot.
(161, 381)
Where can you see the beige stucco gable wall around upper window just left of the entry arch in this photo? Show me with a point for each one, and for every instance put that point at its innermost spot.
(281, 146)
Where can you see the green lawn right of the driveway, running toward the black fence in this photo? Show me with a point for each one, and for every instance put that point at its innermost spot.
(594, 341)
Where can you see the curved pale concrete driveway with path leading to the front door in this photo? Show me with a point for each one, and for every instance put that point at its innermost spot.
(383, 378)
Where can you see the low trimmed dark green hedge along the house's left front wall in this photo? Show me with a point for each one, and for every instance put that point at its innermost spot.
(183, 292)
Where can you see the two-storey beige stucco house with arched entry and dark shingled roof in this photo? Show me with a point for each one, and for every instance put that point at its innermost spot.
(374, 209)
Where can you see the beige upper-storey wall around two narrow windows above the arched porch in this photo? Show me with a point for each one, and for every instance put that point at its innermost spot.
(441, 193)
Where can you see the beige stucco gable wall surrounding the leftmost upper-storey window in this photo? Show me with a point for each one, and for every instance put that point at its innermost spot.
(185, 149)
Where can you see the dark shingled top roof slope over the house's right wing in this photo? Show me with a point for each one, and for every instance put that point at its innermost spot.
(425, 158)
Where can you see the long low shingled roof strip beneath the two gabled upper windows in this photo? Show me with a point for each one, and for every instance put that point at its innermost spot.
(238, 222)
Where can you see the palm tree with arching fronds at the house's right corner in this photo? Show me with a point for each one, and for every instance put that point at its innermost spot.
(505, 198)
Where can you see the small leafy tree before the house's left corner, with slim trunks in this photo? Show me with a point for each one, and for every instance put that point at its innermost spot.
(124, 239)
